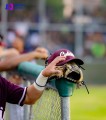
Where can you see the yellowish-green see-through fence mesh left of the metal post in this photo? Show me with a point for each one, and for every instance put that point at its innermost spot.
(48, 107)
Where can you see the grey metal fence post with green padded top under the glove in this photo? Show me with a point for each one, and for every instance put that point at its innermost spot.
(65, 89)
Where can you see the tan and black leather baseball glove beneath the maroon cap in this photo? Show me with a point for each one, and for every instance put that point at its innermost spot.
(72, 72)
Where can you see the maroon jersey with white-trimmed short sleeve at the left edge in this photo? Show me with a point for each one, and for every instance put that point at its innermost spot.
(10, 93)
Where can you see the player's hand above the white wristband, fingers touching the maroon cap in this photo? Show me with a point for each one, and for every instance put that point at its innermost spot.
(51, 68)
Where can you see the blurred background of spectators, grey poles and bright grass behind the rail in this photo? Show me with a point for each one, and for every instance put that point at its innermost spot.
(78, 25)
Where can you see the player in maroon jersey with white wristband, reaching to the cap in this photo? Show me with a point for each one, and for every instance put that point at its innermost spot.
(29, 95)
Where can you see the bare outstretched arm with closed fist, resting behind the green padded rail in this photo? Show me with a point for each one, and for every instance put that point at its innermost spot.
(11, 63)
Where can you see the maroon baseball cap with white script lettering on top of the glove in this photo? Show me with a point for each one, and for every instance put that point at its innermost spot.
(69, 57)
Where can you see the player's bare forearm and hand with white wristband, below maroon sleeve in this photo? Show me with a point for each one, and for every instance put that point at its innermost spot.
(35, 90)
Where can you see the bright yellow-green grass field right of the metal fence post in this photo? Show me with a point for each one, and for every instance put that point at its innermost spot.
(91, 106)
